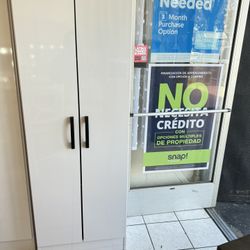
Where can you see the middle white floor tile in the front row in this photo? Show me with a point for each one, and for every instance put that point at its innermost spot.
(168, 236)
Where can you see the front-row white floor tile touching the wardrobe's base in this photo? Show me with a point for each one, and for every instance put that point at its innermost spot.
(138, 238)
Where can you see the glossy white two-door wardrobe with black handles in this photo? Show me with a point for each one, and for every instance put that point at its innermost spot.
(75, 61)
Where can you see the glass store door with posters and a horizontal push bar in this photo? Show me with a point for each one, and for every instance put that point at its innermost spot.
(182, 64)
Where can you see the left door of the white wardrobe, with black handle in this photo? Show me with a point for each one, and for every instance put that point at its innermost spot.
(45, 43)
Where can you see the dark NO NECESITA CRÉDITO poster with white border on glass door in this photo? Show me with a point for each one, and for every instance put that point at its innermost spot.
(180, 142)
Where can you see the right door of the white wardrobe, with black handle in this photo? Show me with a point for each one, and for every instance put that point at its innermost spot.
(104, 43)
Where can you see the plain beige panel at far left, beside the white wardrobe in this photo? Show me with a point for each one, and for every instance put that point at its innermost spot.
(14, 201)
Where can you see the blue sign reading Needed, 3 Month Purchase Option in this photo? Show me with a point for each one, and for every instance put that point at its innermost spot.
(182, 28)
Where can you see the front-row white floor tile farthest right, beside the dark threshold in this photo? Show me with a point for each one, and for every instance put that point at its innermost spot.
(203, 233)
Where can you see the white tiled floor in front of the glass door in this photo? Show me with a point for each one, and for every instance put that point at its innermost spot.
(192, 229)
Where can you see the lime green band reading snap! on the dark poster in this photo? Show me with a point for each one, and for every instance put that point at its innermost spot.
(176, 157)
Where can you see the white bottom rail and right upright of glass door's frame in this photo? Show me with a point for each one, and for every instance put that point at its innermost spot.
(203, 195)
